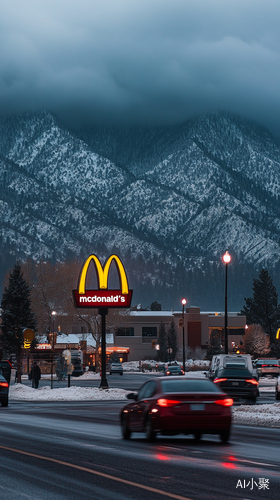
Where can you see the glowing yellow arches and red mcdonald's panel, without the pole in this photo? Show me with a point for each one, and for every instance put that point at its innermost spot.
(102, 297)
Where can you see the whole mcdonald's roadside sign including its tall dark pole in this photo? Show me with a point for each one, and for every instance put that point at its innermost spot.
(103, 298)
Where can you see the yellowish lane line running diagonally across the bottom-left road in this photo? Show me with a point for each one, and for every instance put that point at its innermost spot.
(96, 473)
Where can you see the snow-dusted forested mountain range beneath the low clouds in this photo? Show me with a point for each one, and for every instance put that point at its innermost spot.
(173, 198)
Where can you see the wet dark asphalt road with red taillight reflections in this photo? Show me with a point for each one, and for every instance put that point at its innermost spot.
(74, 450)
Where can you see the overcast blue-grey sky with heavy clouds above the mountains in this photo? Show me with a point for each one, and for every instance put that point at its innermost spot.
(141, 61)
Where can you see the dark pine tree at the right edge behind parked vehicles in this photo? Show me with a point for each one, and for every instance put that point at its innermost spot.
(262, 309)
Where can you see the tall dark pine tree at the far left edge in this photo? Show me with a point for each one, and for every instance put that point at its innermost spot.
(16, 315)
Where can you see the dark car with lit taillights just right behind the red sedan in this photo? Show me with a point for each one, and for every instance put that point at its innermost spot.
(237, 383)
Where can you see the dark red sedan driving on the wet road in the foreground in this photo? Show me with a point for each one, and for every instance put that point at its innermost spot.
(177, 405)
